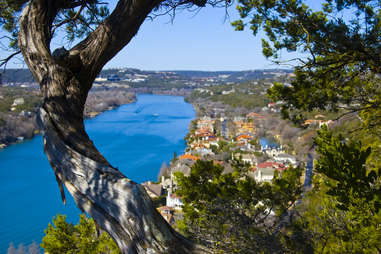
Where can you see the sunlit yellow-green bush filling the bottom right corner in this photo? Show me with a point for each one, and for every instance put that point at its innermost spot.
(333, 230)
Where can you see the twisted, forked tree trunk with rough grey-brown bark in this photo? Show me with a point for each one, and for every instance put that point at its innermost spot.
(120, 206)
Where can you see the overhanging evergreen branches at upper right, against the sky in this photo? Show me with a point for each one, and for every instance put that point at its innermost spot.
(342, 63)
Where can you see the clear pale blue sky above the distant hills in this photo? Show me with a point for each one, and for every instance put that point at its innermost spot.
(202, 41)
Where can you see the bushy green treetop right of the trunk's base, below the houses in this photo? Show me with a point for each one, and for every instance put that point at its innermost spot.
(229, 212)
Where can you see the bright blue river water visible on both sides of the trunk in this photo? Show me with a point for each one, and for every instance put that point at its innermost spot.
(136, 138)
